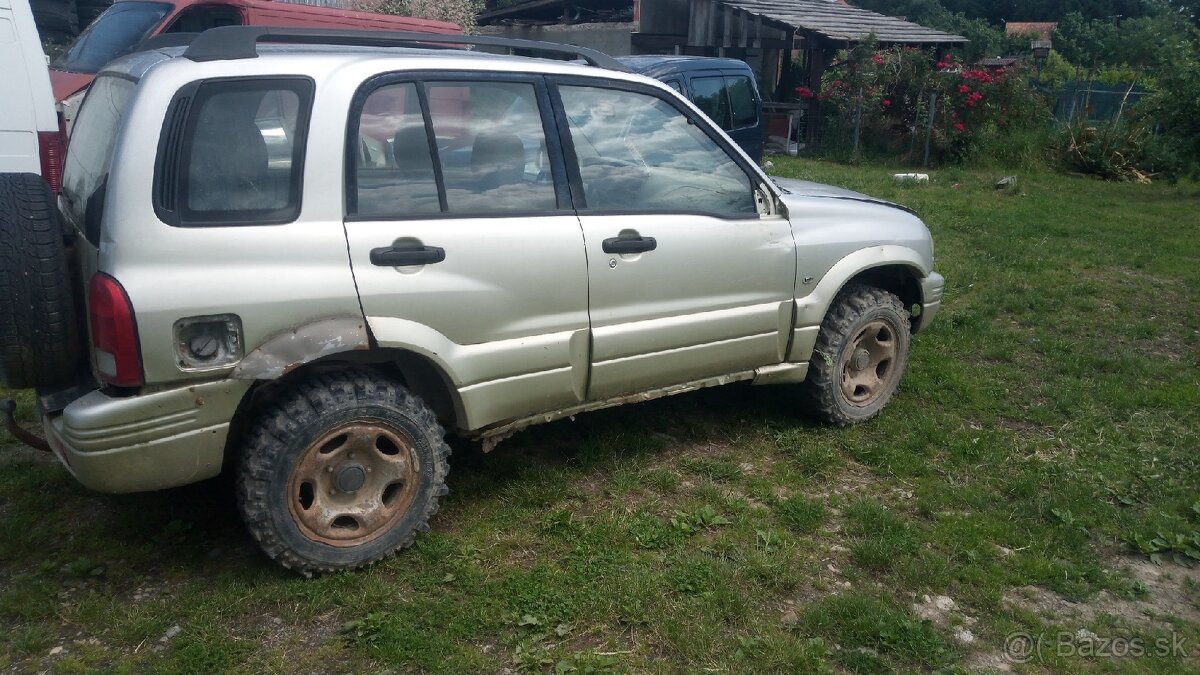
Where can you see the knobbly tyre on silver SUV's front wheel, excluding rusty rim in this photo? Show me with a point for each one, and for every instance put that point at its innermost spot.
(856, 308)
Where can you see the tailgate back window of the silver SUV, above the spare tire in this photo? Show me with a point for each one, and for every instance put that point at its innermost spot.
(92, 145)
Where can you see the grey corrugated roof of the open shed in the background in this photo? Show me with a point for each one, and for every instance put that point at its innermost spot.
(844, 23)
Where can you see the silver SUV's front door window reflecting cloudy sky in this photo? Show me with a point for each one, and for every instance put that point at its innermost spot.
(638, 152)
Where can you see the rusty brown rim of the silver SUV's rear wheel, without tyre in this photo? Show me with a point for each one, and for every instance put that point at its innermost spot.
(353, 485)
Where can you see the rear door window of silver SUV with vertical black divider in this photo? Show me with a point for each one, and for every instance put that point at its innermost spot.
(469, 148)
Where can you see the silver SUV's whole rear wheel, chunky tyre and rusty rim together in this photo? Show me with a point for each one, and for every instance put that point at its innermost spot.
(343, 471)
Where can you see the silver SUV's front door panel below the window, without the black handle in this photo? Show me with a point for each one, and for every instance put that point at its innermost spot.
(706, 302)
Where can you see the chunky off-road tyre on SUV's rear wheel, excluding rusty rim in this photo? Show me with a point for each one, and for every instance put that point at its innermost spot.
(283, 434)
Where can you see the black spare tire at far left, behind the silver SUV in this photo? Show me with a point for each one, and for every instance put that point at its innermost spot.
(40, 343)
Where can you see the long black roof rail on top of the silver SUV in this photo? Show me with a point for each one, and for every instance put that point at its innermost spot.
(242, 43)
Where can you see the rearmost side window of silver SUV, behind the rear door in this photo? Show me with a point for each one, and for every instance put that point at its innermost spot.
(232, 153)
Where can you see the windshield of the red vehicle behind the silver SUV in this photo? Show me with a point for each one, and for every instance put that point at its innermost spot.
(113, 34)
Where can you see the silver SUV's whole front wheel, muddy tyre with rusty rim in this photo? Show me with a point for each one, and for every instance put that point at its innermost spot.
(861, 354)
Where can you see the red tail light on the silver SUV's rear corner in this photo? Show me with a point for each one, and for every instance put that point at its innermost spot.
(115, 332)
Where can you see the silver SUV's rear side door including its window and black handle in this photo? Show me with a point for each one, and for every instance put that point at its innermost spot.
(463, 240)
